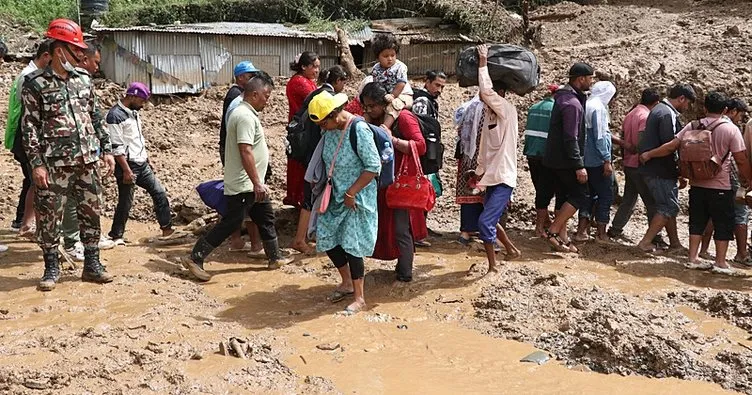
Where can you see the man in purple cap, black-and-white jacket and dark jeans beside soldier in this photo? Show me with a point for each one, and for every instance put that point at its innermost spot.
(132, 163)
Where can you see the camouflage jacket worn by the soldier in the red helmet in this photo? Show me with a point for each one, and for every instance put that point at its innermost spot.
(62, 124)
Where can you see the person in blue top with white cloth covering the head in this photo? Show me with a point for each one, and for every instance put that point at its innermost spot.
(597, 161)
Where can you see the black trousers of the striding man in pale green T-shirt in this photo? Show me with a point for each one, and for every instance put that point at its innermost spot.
(238, 205)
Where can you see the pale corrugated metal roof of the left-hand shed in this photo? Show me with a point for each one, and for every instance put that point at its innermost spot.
(226, 28)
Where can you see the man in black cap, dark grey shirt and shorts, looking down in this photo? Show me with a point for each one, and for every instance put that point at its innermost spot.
(661, 173)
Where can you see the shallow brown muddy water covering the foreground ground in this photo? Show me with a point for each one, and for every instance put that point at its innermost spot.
(414, 338)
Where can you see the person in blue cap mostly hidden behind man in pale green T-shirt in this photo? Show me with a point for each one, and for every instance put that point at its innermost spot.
(242, 73)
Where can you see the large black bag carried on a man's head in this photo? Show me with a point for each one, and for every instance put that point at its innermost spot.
(515, 66)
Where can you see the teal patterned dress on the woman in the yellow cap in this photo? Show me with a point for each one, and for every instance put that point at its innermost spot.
(354, 230)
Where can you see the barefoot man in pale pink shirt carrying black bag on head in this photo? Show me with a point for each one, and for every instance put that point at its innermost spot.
(497, 160)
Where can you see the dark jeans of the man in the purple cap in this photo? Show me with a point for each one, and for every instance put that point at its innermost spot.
(146, 179)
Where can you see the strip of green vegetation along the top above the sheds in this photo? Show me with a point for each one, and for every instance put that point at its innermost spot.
(317, 15)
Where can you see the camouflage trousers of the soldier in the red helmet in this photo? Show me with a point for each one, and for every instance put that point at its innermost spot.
(80, 183)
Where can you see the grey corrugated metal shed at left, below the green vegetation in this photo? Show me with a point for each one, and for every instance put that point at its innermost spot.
(189, 58)
